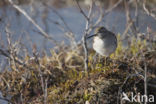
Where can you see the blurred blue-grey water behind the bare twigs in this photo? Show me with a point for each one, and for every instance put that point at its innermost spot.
(22, 28)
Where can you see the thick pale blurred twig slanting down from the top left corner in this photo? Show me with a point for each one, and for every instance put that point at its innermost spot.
(33, 22)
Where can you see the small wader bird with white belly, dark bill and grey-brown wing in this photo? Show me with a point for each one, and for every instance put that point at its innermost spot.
(104, 41)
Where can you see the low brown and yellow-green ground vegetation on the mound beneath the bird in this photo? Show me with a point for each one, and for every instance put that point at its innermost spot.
(67, 83)
